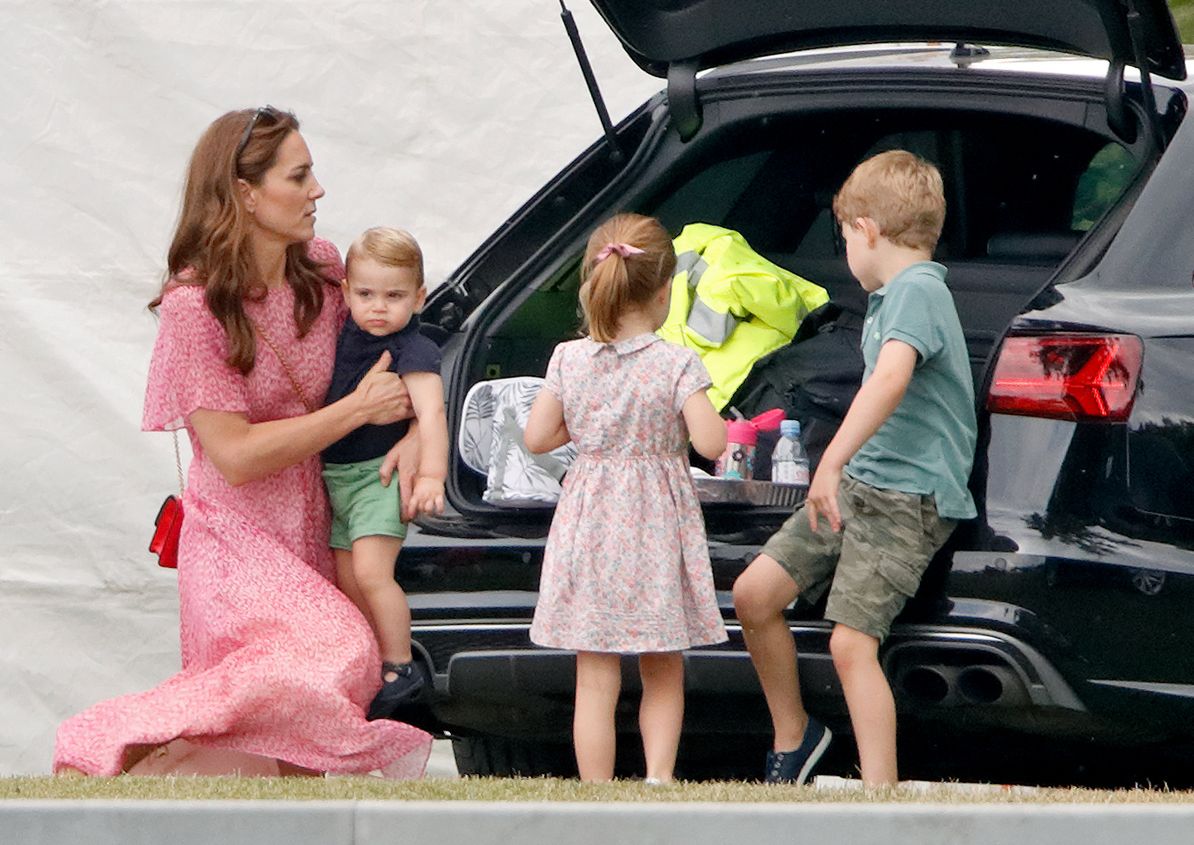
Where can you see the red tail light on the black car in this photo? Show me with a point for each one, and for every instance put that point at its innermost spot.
(1068, 377)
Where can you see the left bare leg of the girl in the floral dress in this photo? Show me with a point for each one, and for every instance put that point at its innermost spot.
(599, 683)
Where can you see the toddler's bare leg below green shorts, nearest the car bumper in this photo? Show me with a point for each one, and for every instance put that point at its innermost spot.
(373, 568)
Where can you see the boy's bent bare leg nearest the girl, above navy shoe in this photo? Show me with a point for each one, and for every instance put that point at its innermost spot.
(761, 594)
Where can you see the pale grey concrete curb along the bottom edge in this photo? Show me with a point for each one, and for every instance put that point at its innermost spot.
(452, 823)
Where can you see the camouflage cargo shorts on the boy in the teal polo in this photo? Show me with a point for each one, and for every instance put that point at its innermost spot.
(873, 565)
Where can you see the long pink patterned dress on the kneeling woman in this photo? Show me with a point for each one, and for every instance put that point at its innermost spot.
(278, 663)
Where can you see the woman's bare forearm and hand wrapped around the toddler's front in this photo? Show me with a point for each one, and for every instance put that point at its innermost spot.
(245, 452)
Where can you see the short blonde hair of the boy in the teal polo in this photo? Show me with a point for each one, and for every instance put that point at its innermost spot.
(902, 193)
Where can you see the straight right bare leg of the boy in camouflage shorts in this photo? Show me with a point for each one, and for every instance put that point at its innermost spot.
(870, 699)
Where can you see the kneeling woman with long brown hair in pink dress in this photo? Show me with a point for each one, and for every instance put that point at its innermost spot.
(278, 663)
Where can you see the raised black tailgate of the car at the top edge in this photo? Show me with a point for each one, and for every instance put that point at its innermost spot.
(678, 39)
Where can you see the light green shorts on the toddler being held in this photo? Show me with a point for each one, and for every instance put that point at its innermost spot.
(361, 507)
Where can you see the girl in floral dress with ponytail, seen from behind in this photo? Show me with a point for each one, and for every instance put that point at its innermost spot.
(626, 568)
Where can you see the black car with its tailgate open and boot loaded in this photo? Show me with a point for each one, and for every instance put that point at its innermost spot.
(1063, 616)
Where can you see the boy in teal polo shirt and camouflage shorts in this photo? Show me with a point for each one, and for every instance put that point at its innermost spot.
(891, 484)
